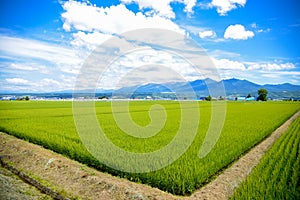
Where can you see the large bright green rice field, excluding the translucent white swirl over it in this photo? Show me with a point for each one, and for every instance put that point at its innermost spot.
(51, 125)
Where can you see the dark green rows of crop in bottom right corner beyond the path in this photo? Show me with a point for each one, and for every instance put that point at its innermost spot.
(278, 174)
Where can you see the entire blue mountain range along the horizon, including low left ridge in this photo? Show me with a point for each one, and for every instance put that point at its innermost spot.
(233, 88)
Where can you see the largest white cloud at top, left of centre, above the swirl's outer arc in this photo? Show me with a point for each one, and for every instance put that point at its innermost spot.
(95, 25)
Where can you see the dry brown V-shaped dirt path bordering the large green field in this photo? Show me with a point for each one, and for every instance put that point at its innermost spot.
(71, 179)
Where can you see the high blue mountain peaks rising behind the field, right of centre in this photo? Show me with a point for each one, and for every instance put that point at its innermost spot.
(235, 87)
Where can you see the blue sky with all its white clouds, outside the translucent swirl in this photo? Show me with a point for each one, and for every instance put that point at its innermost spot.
(43, 44)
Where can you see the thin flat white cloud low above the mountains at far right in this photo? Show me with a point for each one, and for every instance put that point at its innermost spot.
(271, 66)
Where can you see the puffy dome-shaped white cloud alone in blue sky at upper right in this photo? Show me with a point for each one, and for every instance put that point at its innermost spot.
(237, 32)
